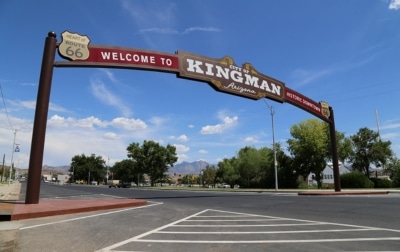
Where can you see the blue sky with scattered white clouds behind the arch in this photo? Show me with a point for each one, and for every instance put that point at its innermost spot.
(343, 52)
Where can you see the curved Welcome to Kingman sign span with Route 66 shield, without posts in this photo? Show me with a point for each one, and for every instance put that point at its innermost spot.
(221, 74)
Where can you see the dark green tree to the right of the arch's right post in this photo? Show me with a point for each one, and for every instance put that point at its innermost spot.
(369, 149)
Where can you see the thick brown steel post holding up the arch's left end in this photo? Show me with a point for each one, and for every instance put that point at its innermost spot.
(39, 125)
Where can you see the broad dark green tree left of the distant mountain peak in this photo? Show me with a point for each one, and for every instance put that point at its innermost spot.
(152, 158)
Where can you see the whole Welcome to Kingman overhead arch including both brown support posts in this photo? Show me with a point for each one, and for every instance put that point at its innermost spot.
(221, 74)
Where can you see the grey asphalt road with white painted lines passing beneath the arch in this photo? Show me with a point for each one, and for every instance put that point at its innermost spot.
(217, 221)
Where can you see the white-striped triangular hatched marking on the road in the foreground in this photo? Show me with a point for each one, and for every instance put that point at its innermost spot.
(180, 231)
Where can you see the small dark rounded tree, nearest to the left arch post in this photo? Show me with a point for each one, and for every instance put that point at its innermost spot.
(88, 167)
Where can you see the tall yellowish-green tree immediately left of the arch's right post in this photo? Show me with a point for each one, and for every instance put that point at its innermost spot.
(310, 148)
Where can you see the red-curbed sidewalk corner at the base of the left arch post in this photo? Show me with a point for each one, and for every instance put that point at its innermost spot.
(12, 208)
